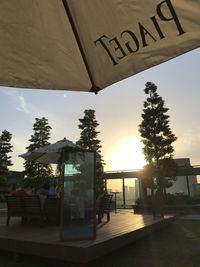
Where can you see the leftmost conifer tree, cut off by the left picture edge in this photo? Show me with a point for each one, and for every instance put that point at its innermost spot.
(5, 159)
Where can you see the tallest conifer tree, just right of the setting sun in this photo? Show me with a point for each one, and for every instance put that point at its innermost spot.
(157, 138)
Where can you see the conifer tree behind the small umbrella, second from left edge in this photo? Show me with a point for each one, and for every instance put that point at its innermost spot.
(39, 138)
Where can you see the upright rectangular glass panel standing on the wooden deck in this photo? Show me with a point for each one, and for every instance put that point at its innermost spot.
(78, 199)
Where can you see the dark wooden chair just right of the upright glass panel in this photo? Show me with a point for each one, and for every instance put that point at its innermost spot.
(103, 206)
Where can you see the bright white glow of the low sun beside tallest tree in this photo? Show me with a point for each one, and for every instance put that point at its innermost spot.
(128, 156)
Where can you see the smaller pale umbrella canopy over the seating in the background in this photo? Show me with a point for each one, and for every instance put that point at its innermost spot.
(50, 153)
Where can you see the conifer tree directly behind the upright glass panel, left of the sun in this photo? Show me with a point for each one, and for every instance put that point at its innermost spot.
(89, 140)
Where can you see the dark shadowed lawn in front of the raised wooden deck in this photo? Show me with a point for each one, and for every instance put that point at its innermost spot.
(177, 245)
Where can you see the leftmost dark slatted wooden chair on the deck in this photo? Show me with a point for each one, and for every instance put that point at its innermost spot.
(16, 207)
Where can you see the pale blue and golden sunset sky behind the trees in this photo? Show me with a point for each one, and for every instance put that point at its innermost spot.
(118, 111)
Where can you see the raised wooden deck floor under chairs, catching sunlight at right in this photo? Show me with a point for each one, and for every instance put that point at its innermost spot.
(123, 229)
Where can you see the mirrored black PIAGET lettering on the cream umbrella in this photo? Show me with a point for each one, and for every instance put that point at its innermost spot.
(117, 47)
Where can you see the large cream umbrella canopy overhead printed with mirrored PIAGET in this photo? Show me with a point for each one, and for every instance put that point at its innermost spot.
(88, 45)
